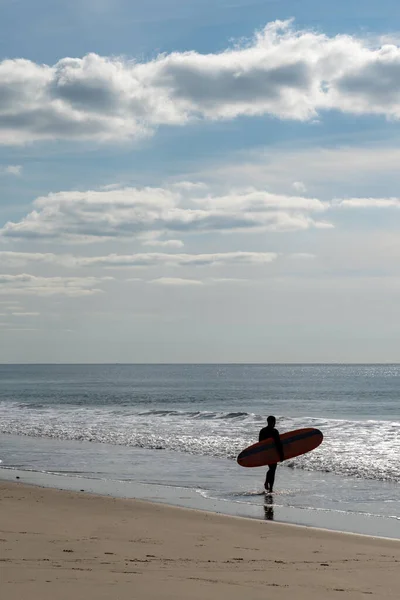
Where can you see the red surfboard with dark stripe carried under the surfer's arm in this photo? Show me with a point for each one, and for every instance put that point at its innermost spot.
(294, 444)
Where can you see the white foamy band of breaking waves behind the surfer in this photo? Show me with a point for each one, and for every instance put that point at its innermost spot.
(367, 449)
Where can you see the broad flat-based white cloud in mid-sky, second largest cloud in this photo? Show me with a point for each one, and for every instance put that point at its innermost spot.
(146, 212)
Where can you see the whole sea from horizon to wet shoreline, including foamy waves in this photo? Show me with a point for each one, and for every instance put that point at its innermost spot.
(171, 433)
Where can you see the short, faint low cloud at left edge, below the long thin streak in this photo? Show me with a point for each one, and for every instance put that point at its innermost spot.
(48, 286)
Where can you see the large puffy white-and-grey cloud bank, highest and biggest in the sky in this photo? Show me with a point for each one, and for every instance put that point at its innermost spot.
(281, 72)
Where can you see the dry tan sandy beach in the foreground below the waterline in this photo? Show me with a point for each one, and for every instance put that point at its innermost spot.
(60, 545)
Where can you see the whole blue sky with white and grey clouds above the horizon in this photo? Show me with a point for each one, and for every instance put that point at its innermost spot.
(199, 181)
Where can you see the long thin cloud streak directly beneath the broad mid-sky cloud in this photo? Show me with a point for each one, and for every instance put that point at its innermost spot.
(151, 259)
